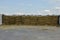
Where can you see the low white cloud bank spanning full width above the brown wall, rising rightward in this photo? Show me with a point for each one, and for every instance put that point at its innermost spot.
(55, 11)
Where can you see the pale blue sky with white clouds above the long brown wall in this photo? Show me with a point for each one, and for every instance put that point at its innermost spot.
(30, 7)
